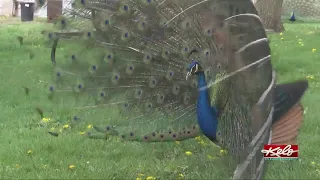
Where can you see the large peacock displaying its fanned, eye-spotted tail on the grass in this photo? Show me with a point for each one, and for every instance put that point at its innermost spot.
(167, 70)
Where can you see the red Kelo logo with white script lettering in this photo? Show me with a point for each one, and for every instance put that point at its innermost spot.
(280, 152)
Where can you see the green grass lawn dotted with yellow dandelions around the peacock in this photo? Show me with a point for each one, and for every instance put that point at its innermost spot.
(28, 152)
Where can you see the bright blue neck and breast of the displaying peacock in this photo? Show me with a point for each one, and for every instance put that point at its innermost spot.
(207, 115)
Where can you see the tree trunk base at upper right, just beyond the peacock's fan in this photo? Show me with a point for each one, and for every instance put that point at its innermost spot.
(270, 13)
